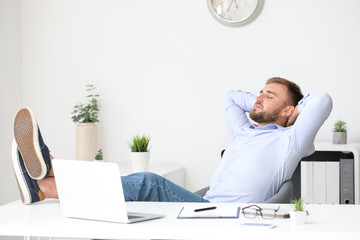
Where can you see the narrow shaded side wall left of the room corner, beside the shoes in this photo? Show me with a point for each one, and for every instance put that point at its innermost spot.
(10, 92)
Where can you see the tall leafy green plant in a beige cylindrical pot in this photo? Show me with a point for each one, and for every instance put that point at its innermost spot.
(85, 115)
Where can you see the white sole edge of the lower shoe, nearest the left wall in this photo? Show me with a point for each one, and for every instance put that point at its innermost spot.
(20, 179)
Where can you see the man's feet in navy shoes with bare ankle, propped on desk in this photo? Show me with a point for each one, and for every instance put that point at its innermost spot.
(31, 160)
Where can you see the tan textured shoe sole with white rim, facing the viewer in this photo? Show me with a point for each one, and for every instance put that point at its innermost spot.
(27, 140)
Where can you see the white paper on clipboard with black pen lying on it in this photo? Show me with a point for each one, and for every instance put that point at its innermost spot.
(223, 211)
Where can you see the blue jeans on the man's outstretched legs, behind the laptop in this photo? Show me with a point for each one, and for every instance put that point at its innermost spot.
(151, 187)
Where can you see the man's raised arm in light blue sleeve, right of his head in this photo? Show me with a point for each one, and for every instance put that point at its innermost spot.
(312, 112)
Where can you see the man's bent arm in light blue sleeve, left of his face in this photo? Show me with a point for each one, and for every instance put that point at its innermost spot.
(237, 103)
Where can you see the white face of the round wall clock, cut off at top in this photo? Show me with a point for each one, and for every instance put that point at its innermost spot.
(232, 11)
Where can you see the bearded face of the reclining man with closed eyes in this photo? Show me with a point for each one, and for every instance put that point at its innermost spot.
(269, 104)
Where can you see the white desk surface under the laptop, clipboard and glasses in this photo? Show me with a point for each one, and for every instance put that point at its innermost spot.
(45, 219)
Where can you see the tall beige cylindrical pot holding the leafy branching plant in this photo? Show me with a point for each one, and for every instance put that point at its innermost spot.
(86, 141)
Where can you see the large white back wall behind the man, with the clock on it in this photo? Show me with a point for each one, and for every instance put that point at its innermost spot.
(162, 68)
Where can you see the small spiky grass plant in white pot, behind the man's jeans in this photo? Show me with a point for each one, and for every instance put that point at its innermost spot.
(140, 154)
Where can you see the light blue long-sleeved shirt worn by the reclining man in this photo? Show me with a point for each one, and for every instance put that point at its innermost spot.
(258, 160)
